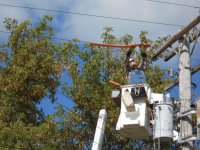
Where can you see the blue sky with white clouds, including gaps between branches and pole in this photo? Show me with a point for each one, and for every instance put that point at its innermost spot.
(89, 28)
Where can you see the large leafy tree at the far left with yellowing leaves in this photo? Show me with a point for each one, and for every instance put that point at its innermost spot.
(30, 71)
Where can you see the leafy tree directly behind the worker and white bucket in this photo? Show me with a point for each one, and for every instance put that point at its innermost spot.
(90, 68)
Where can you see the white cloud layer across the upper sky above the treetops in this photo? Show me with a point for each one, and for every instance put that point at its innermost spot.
(90, 28)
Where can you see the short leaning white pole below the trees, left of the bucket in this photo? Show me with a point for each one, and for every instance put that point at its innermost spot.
(100, 130)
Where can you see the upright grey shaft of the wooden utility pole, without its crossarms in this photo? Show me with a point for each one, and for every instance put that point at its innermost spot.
(185, 92)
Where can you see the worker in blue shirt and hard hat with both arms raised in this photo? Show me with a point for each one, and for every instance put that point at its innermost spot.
(134, 72)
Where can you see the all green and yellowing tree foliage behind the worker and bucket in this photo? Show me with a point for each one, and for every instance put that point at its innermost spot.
(32, 68)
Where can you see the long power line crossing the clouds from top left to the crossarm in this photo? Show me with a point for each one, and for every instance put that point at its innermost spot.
(91, 15)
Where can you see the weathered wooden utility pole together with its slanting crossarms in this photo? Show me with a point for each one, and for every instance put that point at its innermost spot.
(186, 137)
